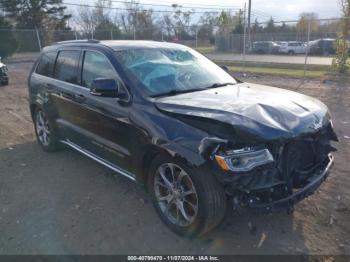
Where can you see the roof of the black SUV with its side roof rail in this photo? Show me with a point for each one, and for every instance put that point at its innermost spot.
(124, 44)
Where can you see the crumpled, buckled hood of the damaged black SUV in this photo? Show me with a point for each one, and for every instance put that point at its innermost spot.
(267, 113)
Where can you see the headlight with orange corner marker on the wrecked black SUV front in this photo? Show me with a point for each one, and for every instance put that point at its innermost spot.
(244, 160)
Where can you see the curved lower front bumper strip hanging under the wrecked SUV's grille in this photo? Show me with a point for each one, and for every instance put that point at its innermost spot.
(298, 196)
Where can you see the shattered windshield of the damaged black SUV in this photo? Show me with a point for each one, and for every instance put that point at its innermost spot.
(172, 70)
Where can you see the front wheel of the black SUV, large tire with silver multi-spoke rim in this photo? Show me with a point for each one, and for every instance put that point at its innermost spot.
(205, 193)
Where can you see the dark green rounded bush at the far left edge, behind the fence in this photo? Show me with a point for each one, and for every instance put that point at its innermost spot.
(8, 43)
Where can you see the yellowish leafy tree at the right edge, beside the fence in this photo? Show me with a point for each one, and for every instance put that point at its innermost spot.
(340, 62)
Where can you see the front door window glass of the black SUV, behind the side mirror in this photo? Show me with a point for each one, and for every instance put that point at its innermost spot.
(96, 65)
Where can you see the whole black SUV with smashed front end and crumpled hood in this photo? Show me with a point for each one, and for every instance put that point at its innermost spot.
(165, 116)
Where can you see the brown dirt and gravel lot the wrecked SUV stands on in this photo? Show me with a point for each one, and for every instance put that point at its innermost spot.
(64, 203)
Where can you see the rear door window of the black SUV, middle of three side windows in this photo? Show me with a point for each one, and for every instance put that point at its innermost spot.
(66, 66)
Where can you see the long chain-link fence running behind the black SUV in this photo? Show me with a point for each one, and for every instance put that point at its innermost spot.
(309, 45)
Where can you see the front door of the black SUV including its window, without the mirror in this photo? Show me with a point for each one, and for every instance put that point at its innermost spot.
(104, 127)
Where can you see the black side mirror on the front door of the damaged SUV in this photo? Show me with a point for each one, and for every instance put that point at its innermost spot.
(105, 87)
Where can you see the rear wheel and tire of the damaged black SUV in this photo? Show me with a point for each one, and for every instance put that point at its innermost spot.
(44, 128)
